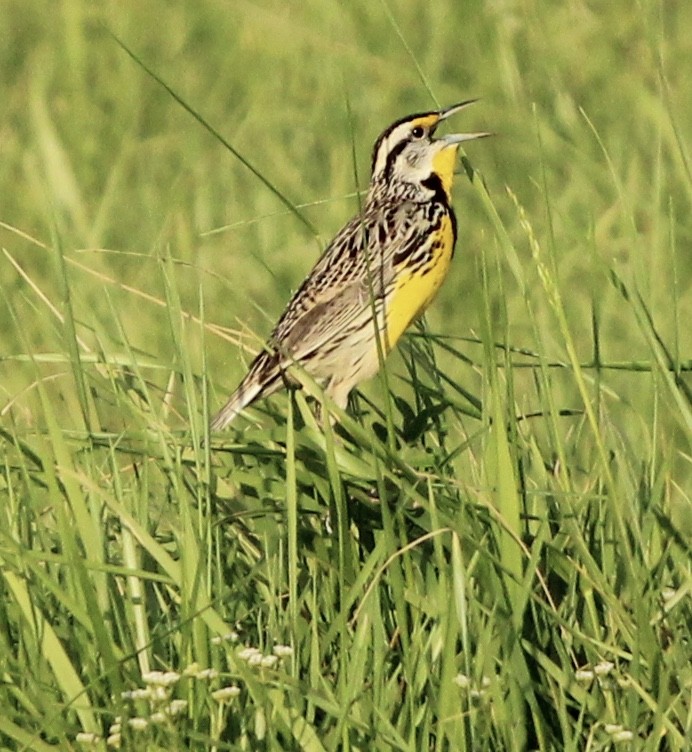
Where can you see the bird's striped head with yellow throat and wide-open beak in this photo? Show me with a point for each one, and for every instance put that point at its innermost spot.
(407, 152)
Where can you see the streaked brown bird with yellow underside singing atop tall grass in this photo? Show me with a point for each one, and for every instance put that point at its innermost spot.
(378, 274)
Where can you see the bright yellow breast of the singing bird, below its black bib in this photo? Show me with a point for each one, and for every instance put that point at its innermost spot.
(416, 288)
